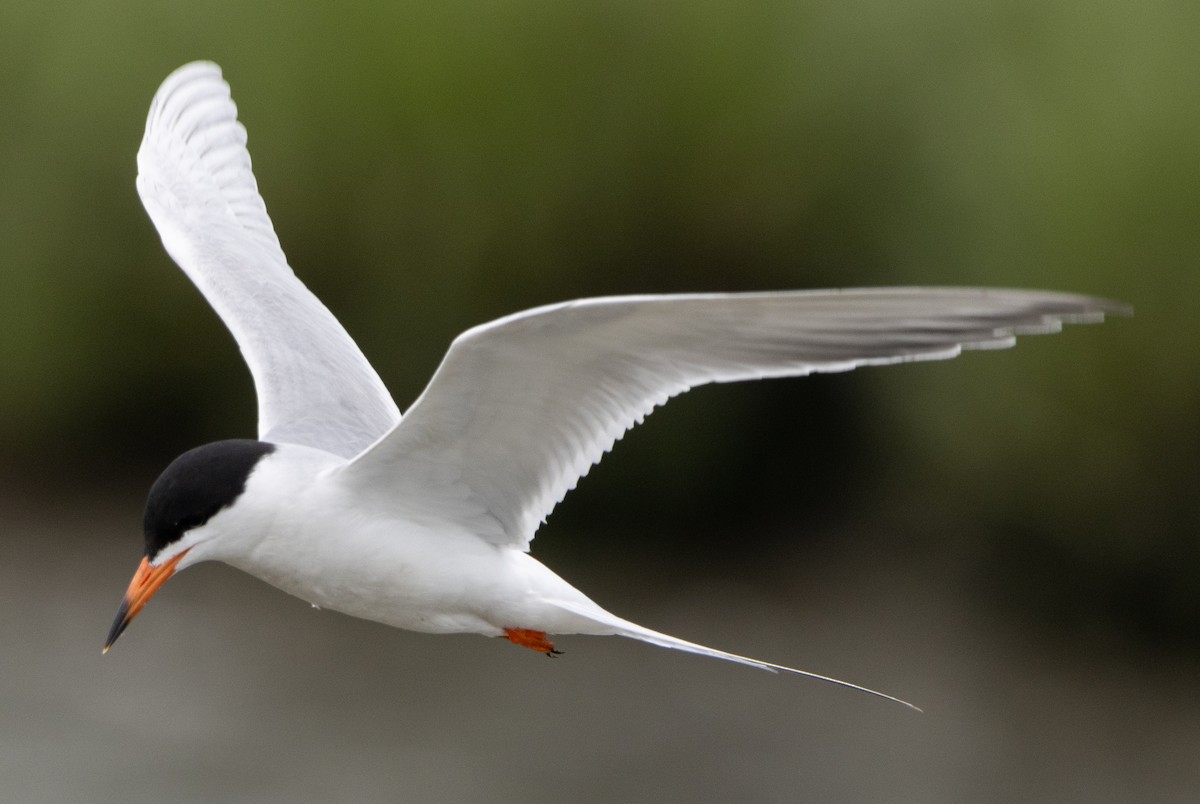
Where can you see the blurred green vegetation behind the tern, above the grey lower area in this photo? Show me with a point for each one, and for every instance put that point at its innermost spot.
(433, 166)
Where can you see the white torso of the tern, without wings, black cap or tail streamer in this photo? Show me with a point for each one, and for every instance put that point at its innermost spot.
(304, 531)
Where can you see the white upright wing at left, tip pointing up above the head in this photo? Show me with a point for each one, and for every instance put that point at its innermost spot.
(315, 387)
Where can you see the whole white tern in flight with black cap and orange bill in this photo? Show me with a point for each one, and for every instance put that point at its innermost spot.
(423, 521)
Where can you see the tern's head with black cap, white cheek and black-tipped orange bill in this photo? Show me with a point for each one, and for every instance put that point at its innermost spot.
(182, 523)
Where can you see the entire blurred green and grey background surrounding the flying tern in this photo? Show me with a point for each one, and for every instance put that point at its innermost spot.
(1009, 539)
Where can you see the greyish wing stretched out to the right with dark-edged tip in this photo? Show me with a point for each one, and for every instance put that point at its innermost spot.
(521, 409)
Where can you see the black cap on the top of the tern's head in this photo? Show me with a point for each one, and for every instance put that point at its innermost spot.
(197, 485)
